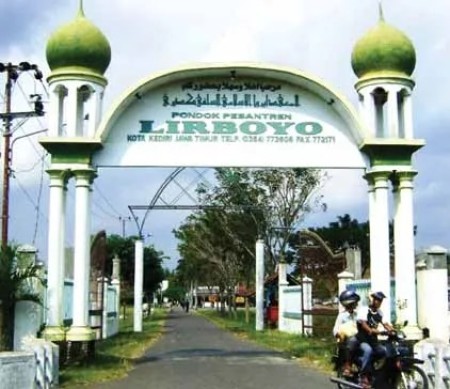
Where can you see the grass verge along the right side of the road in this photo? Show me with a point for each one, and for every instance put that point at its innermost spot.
(310, 350)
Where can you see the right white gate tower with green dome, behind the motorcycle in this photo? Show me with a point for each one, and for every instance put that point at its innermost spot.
(384, 60)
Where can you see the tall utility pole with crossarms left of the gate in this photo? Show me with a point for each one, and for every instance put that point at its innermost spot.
(12, 74)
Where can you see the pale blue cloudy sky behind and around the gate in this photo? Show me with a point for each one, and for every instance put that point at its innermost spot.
(148, 36)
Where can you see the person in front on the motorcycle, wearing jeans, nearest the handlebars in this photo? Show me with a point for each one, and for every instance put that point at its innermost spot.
(368, 331)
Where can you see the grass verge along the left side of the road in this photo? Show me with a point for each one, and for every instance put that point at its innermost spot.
(114, 356)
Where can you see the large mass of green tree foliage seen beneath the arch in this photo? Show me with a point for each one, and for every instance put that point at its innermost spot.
(217, 244)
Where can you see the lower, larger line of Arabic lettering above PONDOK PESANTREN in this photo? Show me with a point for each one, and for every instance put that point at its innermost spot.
(235, 100)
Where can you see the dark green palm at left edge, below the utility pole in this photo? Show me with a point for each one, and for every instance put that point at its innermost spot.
(16, 284)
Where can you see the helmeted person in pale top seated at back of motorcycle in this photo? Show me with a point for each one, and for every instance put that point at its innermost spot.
(345, 328)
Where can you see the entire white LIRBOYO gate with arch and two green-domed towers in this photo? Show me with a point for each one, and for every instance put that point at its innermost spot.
(229, 115)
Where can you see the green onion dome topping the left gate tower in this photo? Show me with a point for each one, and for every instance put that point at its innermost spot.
(78, 47)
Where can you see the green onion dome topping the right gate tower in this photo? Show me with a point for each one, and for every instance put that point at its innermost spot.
(384, 51)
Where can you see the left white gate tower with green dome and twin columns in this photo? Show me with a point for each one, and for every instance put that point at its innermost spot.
(78, 55)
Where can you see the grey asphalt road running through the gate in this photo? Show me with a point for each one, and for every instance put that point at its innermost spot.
(195, 354)
